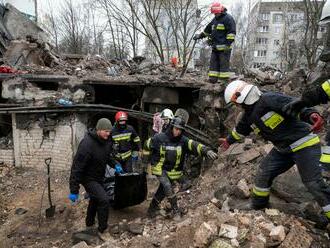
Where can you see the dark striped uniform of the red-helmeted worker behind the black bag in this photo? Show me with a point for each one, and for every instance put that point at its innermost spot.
(125, 140)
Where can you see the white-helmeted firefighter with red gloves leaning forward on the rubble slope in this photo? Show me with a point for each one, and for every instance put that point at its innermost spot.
(294, 140)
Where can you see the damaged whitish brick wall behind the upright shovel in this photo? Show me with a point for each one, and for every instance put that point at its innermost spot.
(38, 141)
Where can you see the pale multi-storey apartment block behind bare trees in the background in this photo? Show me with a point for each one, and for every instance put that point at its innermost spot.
(276, 30)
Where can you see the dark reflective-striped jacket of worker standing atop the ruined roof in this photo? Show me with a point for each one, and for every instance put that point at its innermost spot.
(221, 30)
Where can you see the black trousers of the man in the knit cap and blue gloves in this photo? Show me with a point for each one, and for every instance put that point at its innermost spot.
(98, 205)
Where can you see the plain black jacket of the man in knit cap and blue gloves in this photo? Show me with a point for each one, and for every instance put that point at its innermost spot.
(90, 161)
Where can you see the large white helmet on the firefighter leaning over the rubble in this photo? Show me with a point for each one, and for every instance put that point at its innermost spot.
(240, 92)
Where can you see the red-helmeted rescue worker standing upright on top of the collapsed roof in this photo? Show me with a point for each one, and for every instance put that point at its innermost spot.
(221, 33)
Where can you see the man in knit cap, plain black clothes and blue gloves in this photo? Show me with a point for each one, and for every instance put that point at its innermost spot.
(88, 168)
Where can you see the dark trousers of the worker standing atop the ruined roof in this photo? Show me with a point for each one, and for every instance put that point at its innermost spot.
(219, 65)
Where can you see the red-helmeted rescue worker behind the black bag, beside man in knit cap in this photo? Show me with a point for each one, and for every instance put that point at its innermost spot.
(126, 142)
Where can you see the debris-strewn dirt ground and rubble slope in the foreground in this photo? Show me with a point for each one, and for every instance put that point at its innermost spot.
(215, 217)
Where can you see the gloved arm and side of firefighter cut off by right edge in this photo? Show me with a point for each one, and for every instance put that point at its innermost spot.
(312, 97)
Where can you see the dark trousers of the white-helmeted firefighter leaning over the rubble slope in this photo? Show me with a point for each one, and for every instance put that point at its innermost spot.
(276, 163)
